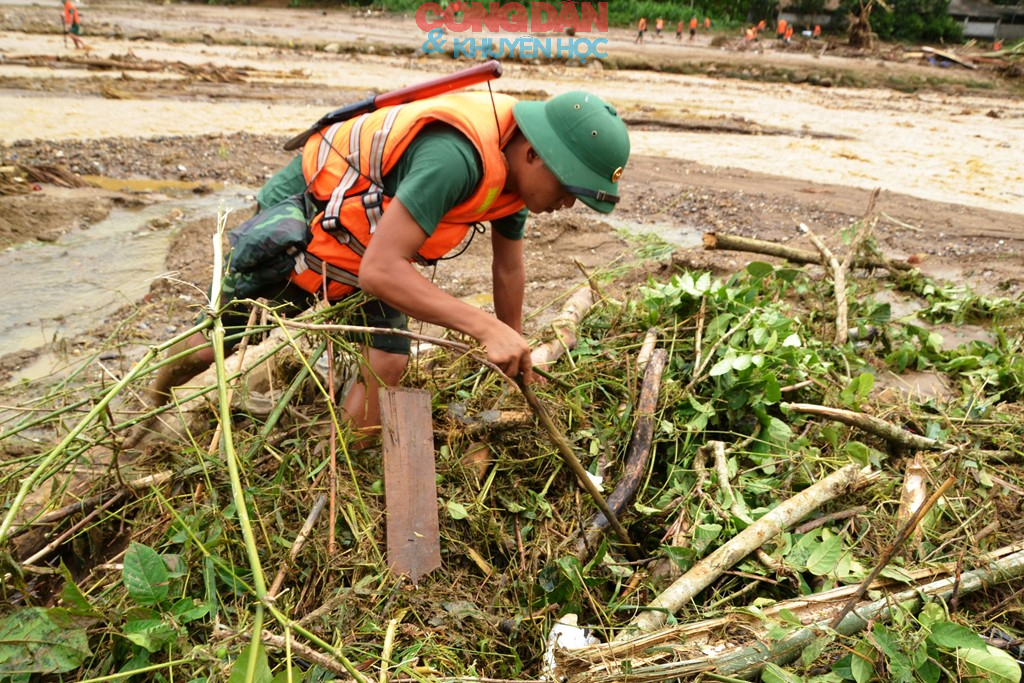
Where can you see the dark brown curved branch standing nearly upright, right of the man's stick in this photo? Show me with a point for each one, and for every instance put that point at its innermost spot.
(639, 451)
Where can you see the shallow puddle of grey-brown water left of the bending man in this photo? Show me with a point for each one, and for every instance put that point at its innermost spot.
(57, 291)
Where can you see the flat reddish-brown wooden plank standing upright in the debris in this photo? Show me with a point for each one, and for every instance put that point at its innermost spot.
(410, 486)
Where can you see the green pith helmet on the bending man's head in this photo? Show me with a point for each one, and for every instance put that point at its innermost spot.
(582, 141)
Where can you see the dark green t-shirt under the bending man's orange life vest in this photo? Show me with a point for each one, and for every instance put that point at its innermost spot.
(440, 169)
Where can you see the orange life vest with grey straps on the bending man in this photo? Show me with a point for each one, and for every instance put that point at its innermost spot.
(345, 168)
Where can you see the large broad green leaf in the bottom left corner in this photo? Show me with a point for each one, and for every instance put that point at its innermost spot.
(32, 644)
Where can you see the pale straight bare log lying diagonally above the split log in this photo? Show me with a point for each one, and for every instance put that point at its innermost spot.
(754, 537)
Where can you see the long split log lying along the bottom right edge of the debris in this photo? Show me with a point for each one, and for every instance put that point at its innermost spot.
(680, 651)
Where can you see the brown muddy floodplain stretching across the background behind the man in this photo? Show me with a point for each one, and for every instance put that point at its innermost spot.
(726, 140)
